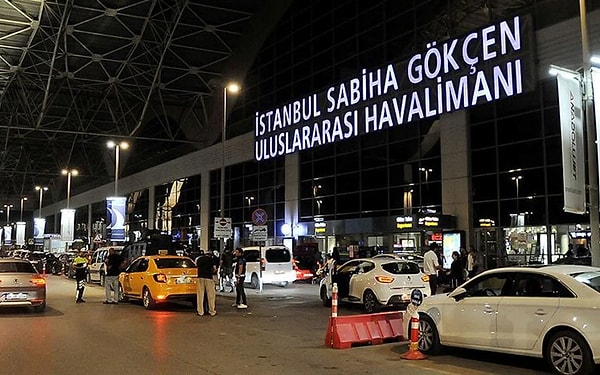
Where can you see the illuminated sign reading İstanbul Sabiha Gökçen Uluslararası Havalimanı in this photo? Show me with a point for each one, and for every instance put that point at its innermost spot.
(485, 65)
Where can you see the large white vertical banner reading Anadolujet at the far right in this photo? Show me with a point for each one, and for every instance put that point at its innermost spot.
(570, 104)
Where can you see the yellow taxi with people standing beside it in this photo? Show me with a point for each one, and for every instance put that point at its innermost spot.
(156, 279)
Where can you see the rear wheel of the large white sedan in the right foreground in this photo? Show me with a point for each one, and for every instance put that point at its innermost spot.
(569, 354)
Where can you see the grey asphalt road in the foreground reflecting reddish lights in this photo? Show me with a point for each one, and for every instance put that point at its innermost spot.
(282, 332)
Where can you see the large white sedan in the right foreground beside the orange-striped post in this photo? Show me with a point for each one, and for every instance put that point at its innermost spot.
(551, 312)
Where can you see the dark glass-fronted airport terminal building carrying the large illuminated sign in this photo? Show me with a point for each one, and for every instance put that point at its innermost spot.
(385, 125)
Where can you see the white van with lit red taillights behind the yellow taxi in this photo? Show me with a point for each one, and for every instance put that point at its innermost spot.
(277, 267)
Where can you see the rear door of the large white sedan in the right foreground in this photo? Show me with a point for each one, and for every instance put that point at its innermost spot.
(524, 314)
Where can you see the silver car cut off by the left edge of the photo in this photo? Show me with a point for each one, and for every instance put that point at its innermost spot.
(21, 285)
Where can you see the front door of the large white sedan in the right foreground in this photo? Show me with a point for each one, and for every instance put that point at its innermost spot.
(471, 319)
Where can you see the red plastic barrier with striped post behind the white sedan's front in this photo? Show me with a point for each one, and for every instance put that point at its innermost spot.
(345, 331)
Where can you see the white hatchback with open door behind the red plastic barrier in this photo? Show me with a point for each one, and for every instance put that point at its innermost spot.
(374, 283)
